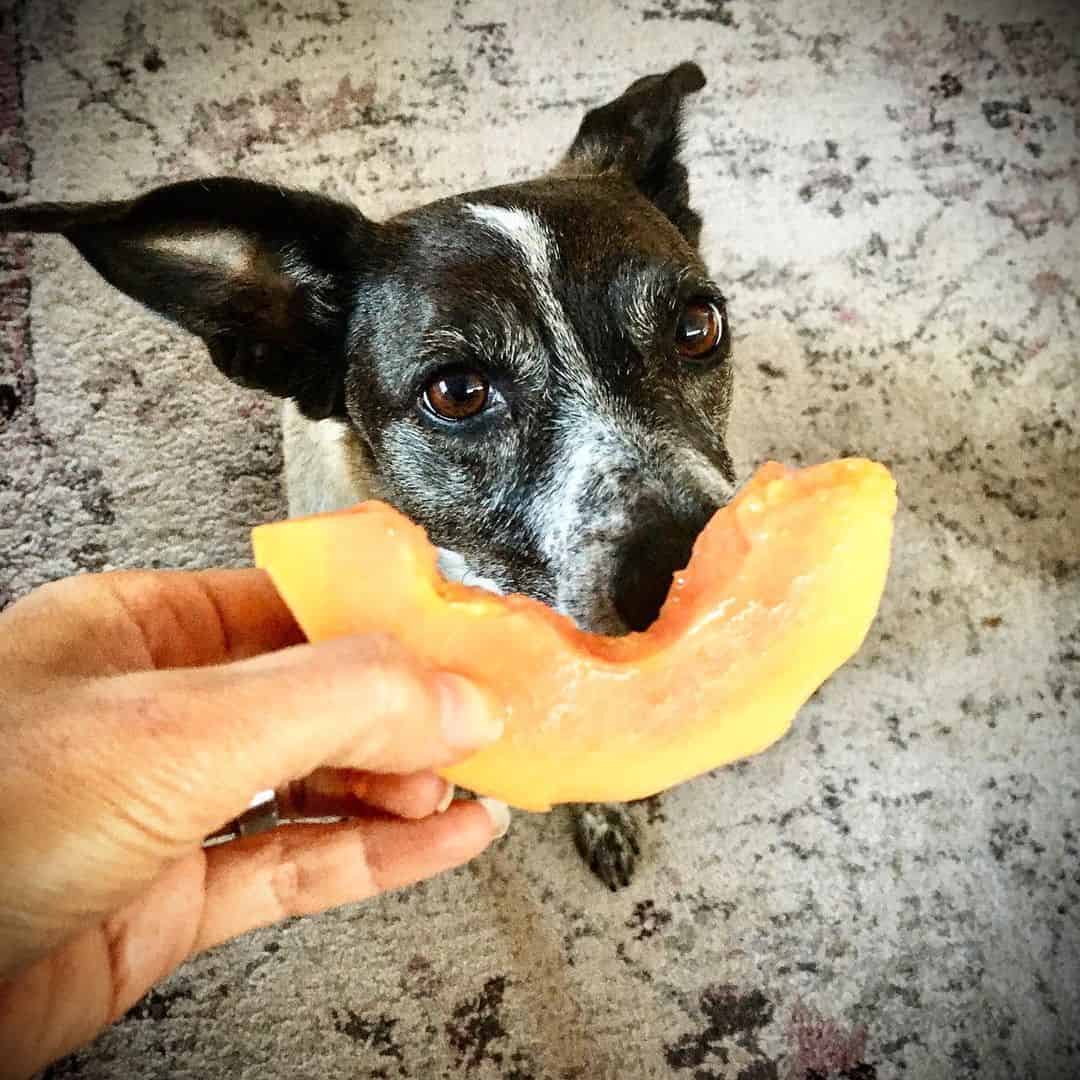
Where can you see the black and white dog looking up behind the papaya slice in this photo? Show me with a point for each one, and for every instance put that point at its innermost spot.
(538, 374)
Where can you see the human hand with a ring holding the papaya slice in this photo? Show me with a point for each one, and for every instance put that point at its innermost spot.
(141, 712)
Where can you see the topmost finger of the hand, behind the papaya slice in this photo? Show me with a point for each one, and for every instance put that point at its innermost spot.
(107, 624)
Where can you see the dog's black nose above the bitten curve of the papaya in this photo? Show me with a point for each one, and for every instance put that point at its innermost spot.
(645, 573)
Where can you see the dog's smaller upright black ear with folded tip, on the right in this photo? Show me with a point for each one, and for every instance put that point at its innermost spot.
(640, 136)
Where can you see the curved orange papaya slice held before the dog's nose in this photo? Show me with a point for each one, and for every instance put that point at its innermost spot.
(780, 591)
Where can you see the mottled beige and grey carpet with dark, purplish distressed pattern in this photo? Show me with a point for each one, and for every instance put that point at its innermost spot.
(893, 202)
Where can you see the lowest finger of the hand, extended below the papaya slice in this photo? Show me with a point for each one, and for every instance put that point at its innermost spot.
(300, 870)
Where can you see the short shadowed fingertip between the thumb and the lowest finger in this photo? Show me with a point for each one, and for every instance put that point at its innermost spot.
(347, 793)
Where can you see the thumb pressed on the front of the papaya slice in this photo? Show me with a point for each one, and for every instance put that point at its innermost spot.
(191, 747)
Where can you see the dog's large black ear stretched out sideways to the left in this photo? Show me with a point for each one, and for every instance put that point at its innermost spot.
(263, 275)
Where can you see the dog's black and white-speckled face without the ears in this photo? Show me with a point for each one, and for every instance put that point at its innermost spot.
(543, 383)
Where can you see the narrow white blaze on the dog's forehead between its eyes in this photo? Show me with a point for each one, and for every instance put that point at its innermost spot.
(539, 253)
